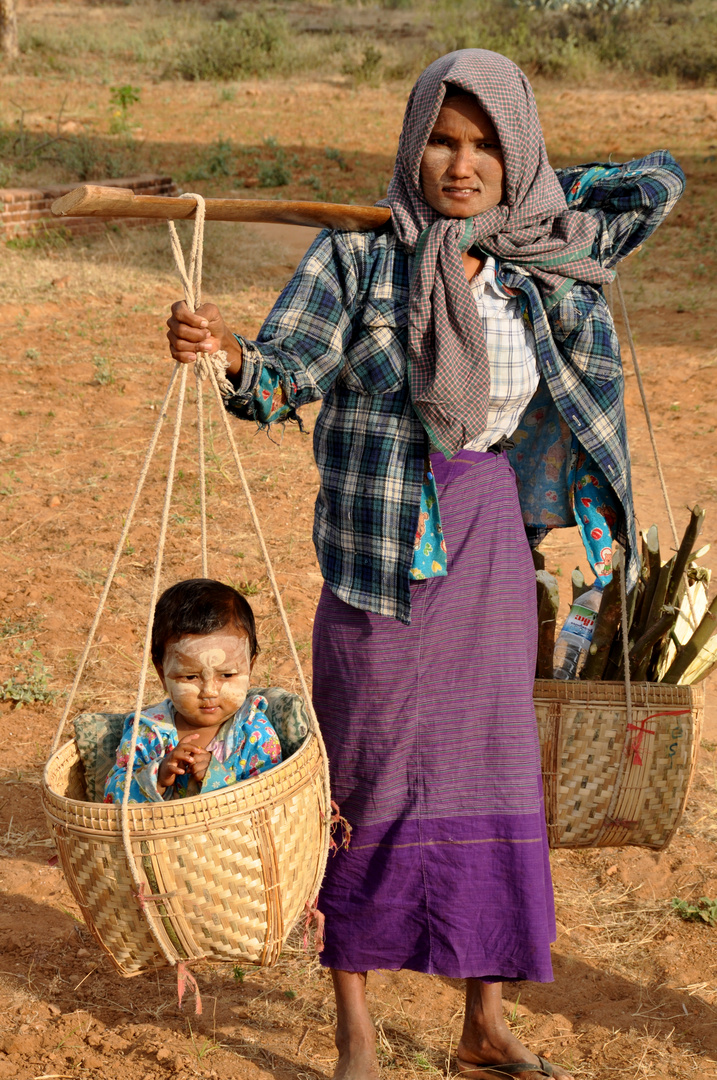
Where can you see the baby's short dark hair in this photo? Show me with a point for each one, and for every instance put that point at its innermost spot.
(200, 606)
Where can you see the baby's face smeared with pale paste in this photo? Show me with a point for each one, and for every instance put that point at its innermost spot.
(207, 676)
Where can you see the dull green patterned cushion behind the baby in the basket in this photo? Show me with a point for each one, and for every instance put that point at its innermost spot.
(99, 735)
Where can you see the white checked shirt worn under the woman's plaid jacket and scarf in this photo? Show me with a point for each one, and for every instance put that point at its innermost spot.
(512, 356)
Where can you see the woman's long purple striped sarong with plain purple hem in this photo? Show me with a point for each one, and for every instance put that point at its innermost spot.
(435, 759)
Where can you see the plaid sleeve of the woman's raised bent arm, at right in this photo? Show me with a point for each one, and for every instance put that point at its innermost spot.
(629, 201)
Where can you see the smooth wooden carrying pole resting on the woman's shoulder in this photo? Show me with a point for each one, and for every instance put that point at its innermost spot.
(93, 201)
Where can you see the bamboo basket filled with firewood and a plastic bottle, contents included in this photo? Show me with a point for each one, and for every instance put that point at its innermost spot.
(619, 721)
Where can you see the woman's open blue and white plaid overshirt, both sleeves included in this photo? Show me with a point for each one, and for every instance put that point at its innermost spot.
(339, 333)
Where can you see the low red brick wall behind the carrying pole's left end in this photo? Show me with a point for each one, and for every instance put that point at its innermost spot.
(25, 212)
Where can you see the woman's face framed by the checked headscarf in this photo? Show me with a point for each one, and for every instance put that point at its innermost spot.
(463, 165)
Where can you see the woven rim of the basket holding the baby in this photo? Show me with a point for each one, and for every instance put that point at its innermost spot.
(198, 803)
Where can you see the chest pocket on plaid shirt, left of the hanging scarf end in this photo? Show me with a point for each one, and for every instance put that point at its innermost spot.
(375, 361)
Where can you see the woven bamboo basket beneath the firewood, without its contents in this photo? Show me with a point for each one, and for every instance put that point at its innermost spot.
(607, 784)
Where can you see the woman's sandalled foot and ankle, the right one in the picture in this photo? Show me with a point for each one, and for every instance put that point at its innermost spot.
(486, 1038)
